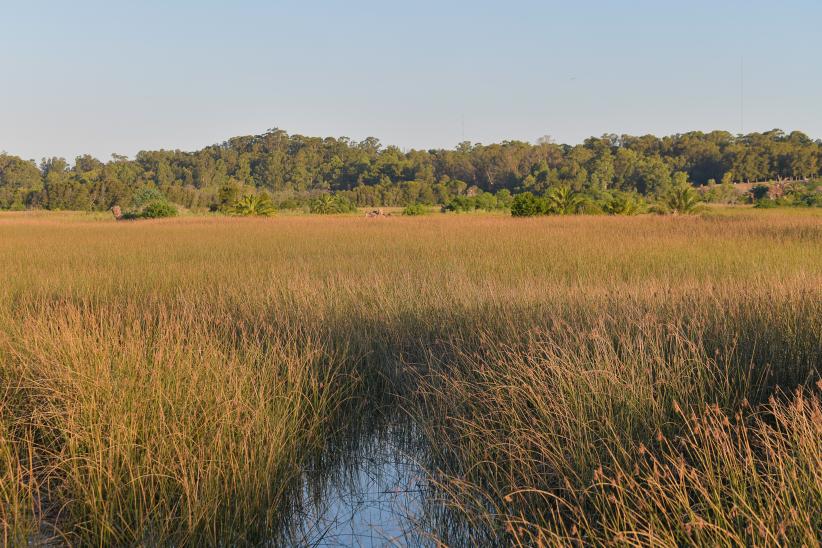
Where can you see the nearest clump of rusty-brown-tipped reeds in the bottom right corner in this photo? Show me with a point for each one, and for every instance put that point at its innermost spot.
(749, 480)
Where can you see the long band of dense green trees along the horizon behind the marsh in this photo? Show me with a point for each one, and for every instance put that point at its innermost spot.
(295, 170)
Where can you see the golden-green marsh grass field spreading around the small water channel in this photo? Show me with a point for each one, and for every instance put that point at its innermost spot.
(591, 380)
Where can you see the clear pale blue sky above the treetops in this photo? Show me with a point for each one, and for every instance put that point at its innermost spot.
(117, 76)
